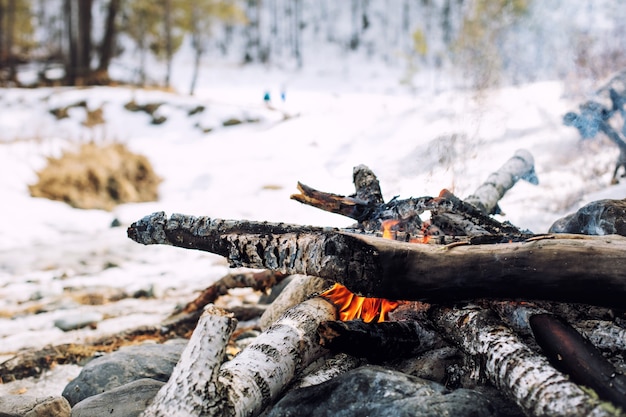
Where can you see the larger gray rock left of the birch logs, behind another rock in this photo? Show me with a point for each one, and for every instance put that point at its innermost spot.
(128, 364)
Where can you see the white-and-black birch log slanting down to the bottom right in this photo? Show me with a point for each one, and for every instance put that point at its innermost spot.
(525, 377)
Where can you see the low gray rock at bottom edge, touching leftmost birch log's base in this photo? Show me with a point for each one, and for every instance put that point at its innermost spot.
(128, 400)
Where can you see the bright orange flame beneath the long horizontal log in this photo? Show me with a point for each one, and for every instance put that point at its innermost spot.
(352, 306)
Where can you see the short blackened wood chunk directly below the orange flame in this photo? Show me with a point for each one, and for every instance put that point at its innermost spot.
(376, 342)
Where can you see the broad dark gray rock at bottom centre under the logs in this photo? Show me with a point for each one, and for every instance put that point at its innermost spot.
(378, 392)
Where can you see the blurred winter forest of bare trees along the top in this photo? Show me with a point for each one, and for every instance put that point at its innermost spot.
(476, 43)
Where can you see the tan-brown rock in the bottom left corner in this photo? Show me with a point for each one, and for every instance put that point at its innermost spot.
(28, 406)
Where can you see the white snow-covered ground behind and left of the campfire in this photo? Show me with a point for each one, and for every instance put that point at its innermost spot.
(416, 140)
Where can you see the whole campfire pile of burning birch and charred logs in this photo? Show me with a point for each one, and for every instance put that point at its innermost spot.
(504, 321)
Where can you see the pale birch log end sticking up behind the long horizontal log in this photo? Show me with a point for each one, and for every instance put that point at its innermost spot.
(520, 166)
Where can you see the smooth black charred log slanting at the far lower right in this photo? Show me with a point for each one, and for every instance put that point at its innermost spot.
(574, 355)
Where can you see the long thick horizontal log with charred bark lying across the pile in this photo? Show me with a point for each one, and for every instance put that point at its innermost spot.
(570, 268)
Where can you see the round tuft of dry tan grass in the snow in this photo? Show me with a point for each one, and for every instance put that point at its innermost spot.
(98, 177)
